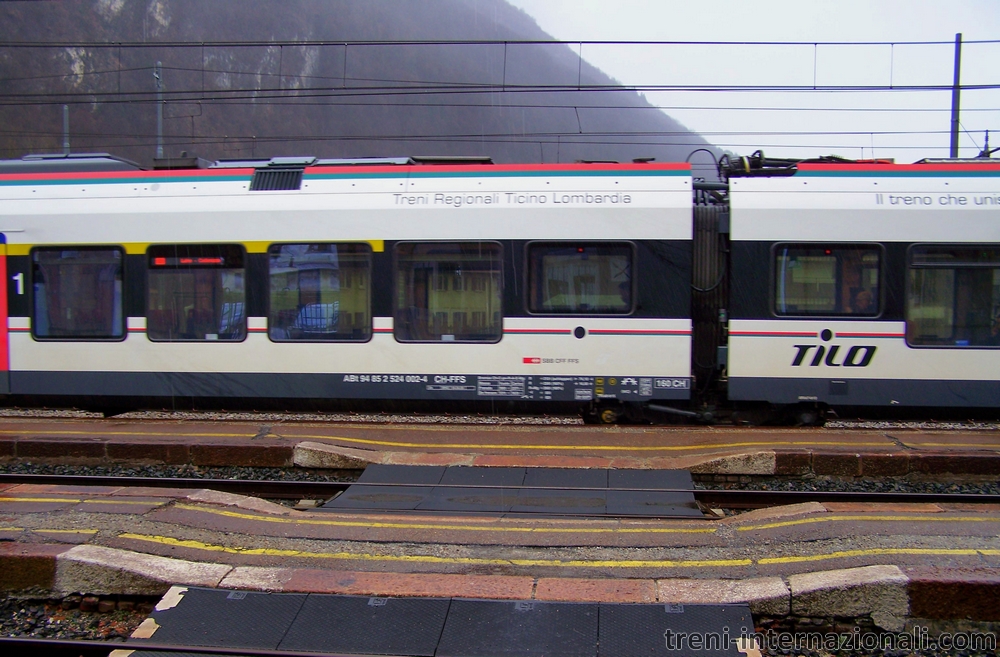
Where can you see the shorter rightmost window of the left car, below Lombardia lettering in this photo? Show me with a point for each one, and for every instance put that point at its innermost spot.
(580, 278)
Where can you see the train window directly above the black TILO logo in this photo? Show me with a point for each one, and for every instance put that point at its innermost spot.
(827, 280)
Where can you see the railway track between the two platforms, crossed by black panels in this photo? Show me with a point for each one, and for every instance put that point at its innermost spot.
(722, 498)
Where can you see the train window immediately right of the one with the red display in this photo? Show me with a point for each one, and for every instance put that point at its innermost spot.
(320, 292)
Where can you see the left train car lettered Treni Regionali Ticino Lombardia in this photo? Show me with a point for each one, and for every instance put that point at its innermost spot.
(297, 278)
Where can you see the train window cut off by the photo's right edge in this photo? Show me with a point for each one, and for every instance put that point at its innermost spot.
(953, 296)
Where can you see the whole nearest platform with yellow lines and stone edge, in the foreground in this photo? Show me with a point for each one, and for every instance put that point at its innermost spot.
(894, 563)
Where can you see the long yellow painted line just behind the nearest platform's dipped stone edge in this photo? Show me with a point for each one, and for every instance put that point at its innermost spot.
(414, 558)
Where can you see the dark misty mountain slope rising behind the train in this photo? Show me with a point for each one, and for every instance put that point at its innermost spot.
(330, 100)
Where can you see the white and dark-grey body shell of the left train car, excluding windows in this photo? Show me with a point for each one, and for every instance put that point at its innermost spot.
(638, 353)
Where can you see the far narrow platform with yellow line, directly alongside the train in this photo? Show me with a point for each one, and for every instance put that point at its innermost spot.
(700, 450)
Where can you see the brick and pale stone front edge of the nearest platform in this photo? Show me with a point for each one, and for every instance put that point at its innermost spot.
(889, 594)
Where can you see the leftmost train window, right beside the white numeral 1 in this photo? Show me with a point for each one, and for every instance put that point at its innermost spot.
(77, 293)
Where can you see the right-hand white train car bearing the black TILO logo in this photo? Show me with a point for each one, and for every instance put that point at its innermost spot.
(866, 285)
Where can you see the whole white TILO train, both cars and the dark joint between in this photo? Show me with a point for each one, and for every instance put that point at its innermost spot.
(623, 290)
